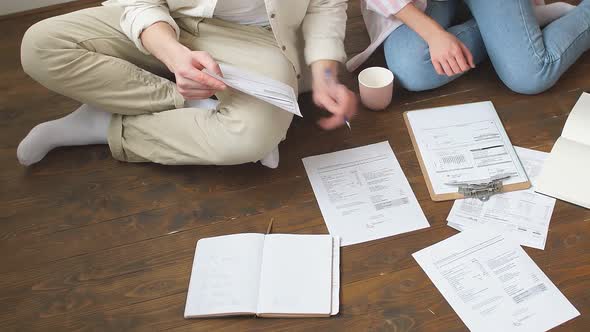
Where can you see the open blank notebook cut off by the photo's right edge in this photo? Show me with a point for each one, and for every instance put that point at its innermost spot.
(565, 173)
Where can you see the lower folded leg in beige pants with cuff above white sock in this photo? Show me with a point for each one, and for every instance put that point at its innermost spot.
(244, 129)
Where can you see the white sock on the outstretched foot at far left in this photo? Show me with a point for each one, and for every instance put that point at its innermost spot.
(86, 125)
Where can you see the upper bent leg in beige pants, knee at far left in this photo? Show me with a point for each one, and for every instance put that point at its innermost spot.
(85, 56)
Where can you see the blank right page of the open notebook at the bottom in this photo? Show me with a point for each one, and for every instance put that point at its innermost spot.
(296, 277)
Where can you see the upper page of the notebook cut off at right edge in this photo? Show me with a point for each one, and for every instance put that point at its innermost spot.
(578, 122)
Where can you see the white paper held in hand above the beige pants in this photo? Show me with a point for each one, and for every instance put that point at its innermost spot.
(264, 88)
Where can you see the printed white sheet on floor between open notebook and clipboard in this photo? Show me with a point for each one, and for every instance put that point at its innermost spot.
(363, 194)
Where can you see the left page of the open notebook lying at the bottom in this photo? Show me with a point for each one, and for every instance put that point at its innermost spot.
(225, 275)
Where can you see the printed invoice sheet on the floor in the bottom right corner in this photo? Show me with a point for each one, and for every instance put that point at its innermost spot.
(492, 284)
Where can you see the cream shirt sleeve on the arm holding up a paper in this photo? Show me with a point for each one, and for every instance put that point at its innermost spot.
(138, 15)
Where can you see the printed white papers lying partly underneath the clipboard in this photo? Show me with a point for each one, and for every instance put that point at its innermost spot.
(523, 213)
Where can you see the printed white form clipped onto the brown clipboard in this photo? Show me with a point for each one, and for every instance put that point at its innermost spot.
(464, 145)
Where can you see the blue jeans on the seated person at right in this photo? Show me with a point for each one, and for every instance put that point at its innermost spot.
(527, 59)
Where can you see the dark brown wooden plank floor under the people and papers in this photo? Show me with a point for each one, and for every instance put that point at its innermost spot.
(89, 243)
